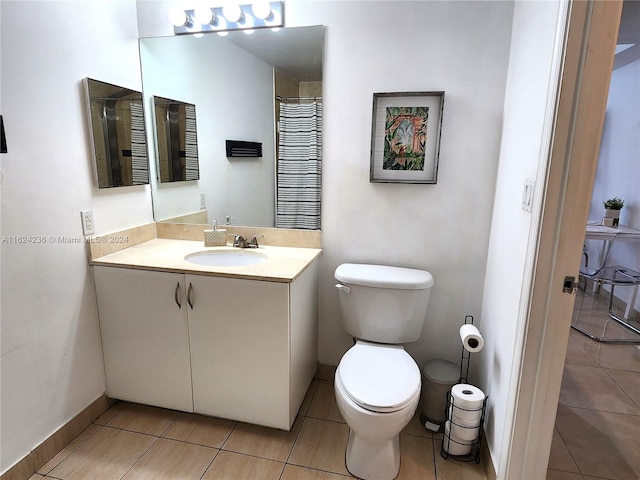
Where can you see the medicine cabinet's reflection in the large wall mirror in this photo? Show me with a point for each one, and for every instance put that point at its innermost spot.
(176, 140)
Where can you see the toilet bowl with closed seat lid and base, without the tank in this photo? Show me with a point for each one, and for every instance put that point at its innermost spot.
(377, 391)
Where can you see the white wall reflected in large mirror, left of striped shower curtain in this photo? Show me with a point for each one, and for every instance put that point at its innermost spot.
(233, 94)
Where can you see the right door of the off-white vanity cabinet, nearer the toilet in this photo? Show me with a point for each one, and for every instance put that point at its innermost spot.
(239, 331)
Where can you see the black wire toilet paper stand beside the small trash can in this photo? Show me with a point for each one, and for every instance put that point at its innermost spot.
(448, 443)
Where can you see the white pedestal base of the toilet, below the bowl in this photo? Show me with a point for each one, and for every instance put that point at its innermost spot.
(373, 460)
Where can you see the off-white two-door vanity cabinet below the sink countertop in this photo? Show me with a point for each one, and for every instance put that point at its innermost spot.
(240, 349)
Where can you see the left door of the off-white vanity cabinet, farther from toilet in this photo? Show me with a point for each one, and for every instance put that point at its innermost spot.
(145, 337)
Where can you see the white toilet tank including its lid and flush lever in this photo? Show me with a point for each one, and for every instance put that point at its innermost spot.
(381, 303)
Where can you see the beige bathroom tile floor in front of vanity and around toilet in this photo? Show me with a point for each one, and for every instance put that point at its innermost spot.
(132, 441)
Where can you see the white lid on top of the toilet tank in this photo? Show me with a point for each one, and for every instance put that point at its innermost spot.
(383, 276)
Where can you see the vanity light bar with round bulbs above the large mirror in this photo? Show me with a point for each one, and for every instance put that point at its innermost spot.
(262, 14)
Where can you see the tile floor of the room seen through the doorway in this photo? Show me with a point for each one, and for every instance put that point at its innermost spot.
(597, 432)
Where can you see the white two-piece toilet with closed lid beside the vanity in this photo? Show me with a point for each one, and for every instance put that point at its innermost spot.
(377, 383)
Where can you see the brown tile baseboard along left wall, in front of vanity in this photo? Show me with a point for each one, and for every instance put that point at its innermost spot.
(44, 452)
